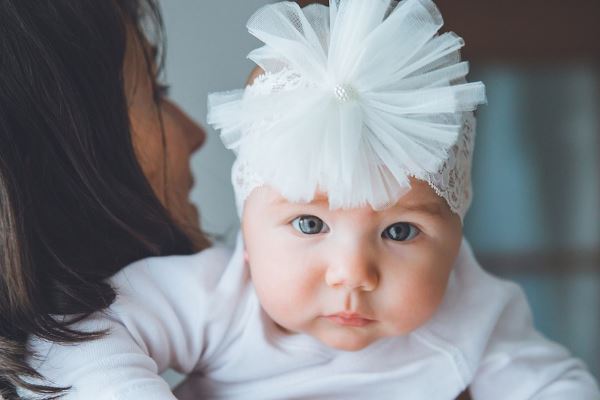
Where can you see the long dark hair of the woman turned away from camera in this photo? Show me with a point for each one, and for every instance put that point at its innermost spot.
(75, 206)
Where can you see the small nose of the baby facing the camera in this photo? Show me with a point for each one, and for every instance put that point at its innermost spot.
(353, 269)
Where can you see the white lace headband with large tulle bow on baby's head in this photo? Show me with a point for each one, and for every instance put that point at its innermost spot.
(355, 100)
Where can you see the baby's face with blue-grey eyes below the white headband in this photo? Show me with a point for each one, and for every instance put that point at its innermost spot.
(350, 277)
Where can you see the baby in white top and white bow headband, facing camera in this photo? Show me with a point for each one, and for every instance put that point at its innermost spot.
(351, 278)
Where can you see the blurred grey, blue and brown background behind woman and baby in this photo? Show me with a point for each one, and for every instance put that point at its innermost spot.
(536, 212)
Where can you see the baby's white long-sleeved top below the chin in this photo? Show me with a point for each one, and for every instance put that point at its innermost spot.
(200, 314)
